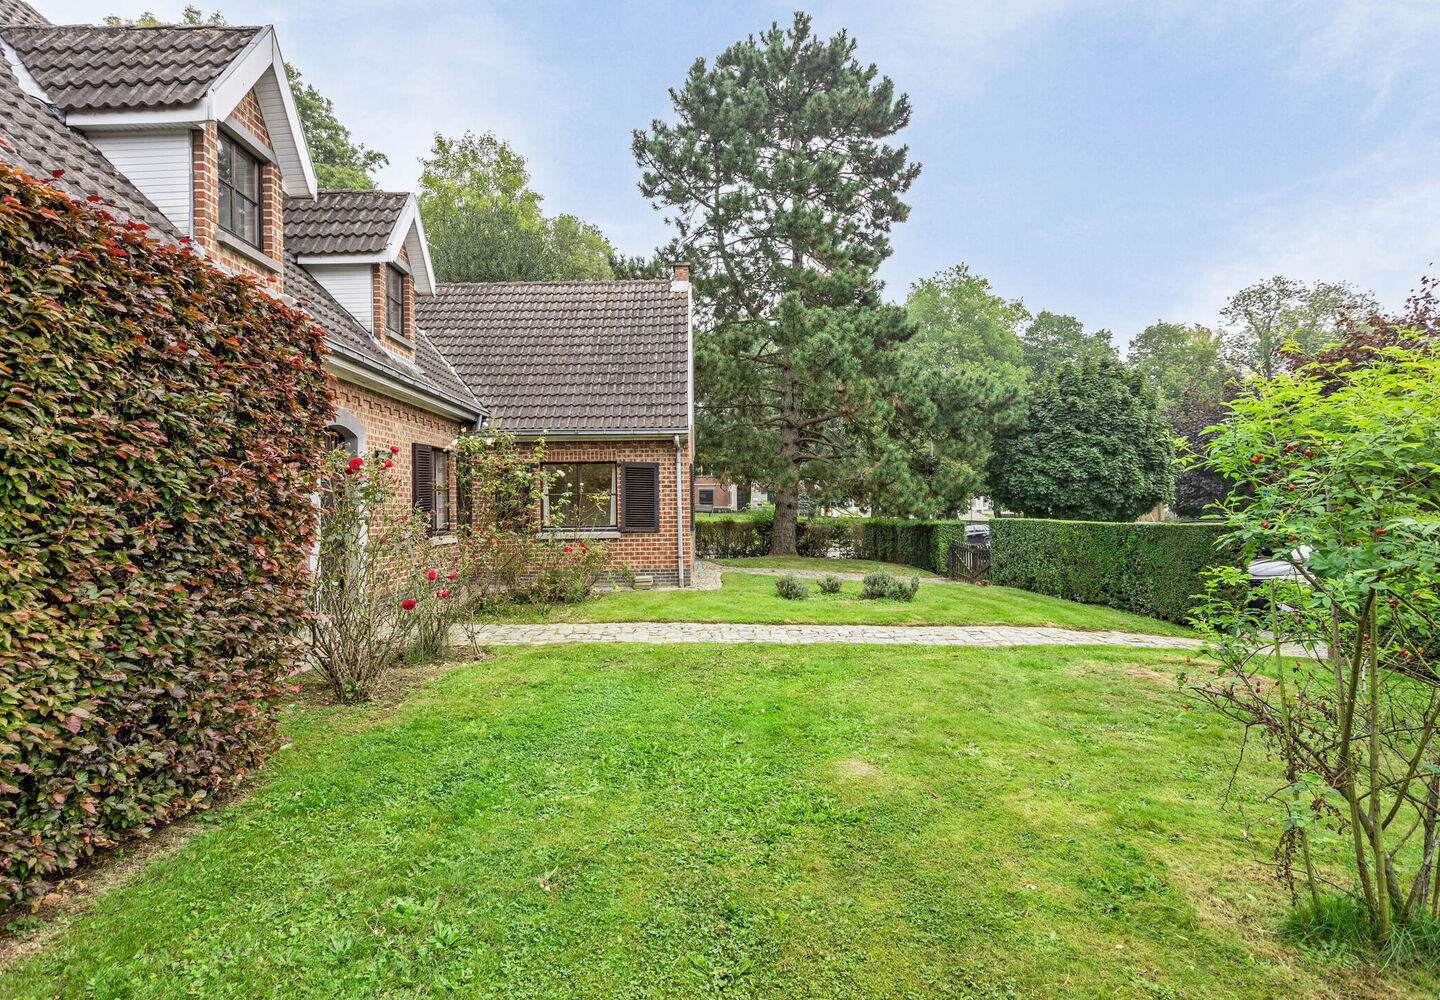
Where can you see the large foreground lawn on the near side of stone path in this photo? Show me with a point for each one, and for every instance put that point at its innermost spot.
(752, 822)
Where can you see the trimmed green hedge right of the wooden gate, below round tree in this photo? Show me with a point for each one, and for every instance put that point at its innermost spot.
(1148, 568)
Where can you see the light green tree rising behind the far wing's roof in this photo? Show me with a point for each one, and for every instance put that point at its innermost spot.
(485, 221)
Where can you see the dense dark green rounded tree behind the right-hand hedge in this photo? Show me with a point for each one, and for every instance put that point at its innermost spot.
(1094, 447)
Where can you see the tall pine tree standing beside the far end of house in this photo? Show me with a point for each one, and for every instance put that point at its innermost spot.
(783, 189)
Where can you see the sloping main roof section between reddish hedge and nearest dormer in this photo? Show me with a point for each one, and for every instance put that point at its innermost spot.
(40, 145)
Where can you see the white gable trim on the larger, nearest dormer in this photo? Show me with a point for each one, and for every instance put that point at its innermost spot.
(258, 67)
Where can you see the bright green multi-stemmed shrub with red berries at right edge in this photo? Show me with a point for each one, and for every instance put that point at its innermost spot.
(1343, 486)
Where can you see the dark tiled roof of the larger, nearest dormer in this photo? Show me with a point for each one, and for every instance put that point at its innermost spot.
(91, 68)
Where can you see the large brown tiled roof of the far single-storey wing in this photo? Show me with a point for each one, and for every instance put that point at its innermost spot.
(568, 355)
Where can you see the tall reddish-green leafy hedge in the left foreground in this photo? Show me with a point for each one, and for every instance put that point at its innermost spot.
(161, 442)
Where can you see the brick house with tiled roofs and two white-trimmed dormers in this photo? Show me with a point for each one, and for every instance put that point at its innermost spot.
(194, 133)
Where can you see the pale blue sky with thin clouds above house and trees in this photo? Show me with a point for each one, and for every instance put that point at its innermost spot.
(1121, 161)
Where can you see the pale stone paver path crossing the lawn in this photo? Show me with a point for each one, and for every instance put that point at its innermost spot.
(696, 632)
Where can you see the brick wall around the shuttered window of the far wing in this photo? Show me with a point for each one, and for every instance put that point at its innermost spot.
(643, 553)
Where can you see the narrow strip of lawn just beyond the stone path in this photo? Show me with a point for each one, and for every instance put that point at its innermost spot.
(750, 597)
